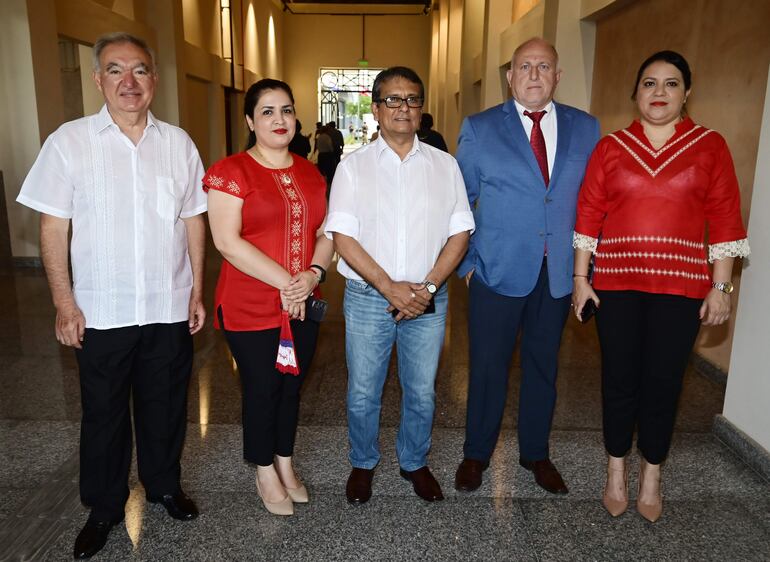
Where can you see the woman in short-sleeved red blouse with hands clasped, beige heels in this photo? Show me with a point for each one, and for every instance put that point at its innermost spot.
(266, 210)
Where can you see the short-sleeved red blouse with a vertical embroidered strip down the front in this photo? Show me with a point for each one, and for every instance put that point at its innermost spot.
(282, 210)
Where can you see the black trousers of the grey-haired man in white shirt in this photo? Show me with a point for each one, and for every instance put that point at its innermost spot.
(149, 365)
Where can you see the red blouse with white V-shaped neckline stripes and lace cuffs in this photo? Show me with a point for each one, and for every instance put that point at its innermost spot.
(644, 211)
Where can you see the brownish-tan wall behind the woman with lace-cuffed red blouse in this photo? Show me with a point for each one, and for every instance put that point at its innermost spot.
(726, 45)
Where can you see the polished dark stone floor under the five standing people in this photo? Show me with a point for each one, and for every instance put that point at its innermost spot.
(716, 507)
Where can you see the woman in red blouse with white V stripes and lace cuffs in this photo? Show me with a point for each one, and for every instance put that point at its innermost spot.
(648, 194)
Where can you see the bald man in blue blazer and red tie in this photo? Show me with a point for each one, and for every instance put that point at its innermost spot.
(523, 163)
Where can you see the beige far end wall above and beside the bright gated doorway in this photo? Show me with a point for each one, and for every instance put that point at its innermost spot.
(312, 42)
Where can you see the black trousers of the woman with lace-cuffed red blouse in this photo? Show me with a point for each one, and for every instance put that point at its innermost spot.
(645, 340)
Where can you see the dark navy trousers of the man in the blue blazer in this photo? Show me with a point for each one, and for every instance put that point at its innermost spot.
(494, 322)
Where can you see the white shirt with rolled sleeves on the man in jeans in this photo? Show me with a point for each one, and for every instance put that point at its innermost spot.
(401, 212)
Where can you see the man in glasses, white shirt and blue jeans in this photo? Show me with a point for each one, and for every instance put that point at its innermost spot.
(400, 220)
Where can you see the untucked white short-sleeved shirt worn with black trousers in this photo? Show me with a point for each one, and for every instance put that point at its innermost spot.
(130, 264)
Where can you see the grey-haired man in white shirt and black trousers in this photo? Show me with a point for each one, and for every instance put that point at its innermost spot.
(131, 187)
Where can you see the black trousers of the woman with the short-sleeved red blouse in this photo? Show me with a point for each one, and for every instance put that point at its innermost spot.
(270, 399)
